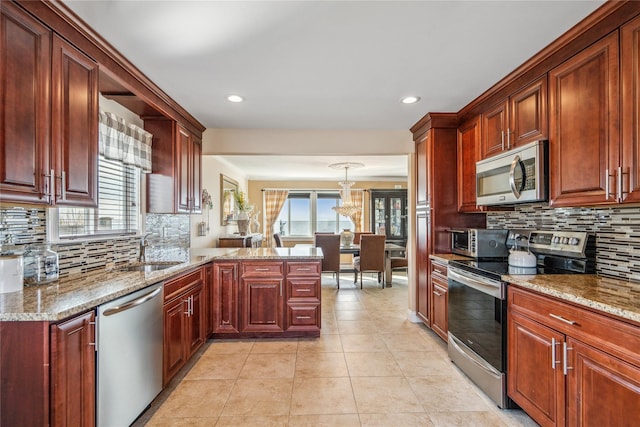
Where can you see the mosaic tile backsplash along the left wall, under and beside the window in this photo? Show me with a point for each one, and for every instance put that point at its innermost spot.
(169, 239)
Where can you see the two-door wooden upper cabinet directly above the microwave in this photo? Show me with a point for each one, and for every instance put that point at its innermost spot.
(516, 120)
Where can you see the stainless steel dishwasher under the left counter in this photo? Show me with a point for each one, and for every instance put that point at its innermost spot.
(129, 336)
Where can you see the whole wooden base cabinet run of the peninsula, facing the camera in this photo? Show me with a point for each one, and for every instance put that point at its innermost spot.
(266, 298)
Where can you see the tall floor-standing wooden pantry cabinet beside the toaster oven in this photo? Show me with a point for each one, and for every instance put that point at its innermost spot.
(435, 137)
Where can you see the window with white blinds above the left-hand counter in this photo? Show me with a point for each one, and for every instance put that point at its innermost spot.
(118, 205)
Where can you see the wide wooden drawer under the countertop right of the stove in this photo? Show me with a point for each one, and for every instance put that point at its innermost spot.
(610, 335)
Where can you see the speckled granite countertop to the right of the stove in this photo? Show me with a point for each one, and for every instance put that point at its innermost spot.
(612, 296)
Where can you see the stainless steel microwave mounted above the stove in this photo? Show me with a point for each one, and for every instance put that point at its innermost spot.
(515, 176)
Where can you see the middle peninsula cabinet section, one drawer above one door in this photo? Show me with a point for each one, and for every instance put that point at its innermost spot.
(262, 294)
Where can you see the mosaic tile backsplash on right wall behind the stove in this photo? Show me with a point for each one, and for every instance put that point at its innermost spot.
(617, 231)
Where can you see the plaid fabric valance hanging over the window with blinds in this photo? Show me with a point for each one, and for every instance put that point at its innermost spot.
(127, 143)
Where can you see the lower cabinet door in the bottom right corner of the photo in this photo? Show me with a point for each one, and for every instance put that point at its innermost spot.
(601, 389)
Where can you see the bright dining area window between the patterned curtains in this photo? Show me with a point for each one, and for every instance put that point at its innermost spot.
(306, 212)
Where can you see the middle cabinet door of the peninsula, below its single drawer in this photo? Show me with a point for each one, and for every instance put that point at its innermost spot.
(262, 301)
